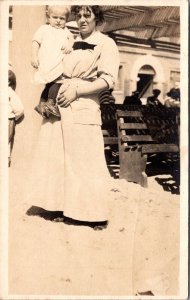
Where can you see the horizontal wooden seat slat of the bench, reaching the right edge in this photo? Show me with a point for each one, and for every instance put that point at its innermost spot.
(156, 148)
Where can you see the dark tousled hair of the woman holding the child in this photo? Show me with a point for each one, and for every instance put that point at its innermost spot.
(75, 9)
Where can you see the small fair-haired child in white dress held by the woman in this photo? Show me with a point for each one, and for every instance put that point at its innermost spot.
(49, 45)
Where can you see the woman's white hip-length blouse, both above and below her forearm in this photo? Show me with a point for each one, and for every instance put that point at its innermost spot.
(95, 57)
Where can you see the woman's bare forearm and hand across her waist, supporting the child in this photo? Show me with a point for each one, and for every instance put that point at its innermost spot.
(68, 94)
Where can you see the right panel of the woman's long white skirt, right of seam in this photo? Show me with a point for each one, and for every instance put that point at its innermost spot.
(87, 180)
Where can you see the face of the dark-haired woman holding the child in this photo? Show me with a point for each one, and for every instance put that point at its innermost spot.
(86, 21)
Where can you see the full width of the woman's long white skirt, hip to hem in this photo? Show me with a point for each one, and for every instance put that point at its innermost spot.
(69, 171)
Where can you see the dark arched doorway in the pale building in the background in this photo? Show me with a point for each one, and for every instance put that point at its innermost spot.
(146, 76)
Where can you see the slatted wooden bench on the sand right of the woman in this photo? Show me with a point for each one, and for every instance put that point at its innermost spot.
(141, 130)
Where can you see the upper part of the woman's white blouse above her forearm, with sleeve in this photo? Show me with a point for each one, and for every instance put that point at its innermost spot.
(102, 61)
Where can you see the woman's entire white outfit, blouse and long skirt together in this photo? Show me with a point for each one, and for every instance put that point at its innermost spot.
(72, 175)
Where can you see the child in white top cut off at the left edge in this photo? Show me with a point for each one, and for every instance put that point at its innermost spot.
(16, 111)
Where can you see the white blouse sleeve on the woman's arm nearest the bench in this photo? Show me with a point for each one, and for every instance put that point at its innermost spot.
(108, 65)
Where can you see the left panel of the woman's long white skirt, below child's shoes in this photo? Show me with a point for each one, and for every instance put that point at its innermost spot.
(46, 175)
